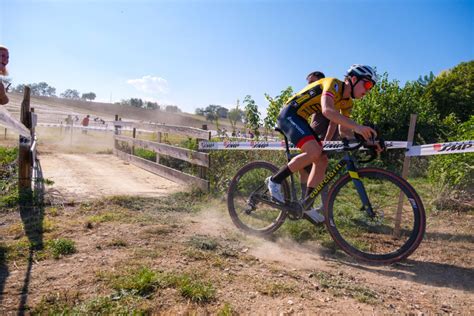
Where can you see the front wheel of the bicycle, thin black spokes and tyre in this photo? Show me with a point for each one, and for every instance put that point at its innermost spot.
(392, 233)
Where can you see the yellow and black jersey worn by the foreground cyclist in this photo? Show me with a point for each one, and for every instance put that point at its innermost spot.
(308, 101)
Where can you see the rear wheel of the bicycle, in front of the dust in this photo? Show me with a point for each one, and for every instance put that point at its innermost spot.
(249, 202)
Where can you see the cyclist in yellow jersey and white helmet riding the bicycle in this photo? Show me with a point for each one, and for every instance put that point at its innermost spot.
(332, 98)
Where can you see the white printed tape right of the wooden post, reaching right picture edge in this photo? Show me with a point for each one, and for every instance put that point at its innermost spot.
(442, 148)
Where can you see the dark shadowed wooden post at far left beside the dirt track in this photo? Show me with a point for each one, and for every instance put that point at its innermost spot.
(24, 155)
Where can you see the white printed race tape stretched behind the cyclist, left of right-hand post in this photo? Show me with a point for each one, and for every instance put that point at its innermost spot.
(263, 145)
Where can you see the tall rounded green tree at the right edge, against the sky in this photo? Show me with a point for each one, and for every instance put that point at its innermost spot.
(453, 92)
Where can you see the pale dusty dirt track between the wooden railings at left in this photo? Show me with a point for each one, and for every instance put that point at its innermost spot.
(88, 176)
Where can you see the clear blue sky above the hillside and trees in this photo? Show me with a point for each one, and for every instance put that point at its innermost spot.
(201, 52)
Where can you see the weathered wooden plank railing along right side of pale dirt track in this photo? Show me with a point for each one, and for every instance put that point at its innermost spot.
(195, 158)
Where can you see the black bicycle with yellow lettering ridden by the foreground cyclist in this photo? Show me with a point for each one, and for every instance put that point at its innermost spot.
(361, 212)
